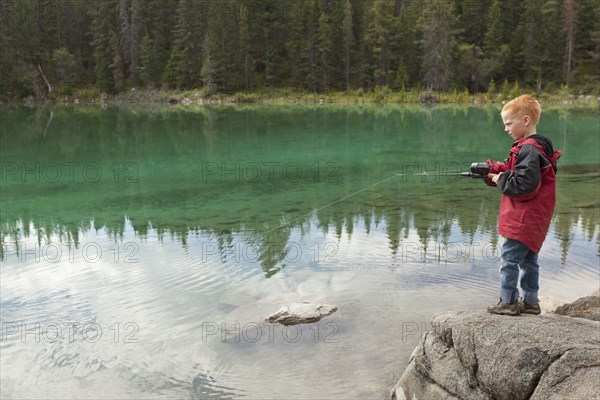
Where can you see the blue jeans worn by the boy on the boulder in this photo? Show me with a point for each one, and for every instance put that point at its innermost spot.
(519, 265)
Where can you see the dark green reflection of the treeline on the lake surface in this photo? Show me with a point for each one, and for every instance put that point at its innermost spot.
(177, 196)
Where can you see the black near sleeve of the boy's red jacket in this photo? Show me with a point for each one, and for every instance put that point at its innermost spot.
(523, 182)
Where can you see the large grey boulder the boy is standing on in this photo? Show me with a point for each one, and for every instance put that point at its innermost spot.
(476, 355)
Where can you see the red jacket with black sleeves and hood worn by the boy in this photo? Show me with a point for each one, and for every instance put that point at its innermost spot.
(528, 186)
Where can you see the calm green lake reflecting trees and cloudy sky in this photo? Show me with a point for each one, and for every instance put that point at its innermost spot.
(143, 246)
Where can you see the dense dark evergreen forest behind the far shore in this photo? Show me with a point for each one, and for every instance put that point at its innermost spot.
(63, 47)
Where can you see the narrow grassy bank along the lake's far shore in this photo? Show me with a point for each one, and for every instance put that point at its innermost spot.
(380, 95)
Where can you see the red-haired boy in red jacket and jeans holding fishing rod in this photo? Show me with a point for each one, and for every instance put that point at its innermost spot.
(527, 181)
